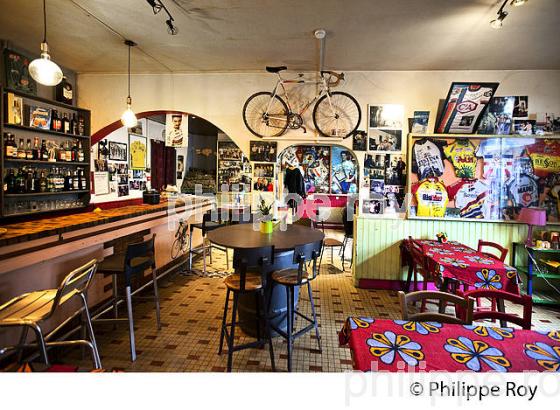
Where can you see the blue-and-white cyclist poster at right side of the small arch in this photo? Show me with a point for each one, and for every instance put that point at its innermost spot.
(344, 171)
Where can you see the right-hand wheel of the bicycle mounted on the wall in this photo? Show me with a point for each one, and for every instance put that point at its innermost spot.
(337, 116)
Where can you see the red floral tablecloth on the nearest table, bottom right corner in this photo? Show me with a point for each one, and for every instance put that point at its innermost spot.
(404, 346)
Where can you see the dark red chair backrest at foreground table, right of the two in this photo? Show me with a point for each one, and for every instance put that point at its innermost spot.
(524, 300)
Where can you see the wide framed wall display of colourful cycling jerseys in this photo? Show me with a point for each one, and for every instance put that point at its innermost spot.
(483, 178)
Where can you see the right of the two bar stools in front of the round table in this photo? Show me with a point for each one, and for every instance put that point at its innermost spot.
(290, 278)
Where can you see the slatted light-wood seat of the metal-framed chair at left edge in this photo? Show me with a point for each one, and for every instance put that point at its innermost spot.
(30, 307)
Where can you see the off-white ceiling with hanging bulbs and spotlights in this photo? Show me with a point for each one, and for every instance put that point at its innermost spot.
(246, 35)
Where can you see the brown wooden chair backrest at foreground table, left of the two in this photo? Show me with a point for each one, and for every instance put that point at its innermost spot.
(463, 307)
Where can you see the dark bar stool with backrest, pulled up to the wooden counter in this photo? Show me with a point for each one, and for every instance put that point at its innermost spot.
(132, 264)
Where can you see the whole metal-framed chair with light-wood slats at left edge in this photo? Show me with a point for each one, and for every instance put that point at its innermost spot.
(30, 310)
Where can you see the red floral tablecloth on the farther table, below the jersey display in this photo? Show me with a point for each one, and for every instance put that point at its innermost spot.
(457, 261)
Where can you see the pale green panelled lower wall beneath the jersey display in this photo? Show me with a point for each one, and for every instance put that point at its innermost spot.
(376, 242)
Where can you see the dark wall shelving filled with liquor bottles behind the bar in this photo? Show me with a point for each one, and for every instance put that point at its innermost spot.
(45, 160)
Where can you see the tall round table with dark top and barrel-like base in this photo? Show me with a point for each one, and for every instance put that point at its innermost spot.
(244, 236)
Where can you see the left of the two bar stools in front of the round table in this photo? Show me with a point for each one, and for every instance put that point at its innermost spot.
(244, 282)
